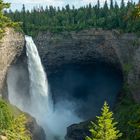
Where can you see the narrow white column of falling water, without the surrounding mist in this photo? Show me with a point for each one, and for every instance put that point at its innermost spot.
(38, 81)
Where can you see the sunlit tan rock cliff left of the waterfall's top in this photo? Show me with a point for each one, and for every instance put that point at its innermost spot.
(11, 47)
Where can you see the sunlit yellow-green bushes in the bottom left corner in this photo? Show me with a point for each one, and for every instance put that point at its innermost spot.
(14, 128)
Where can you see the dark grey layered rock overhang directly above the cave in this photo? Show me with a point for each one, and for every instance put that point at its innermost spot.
(76, 47)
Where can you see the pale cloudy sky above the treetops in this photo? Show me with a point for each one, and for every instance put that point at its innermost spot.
(17, 4)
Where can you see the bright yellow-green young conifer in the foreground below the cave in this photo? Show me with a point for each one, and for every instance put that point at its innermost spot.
(105, 129)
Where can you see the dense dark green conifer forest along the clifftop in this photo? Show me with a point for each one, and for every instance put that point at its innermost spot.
(70, 19)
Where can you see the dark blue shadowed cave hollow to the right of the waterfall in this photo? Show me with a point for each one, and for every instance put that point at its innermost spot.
(87, 86)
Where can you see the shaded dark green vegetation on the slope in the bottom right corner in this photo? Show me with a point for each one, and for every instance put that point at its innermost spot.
(127, 113)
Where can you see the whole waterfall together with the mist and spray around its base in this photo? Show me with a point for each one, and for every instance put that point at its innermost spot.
(39, 104)
